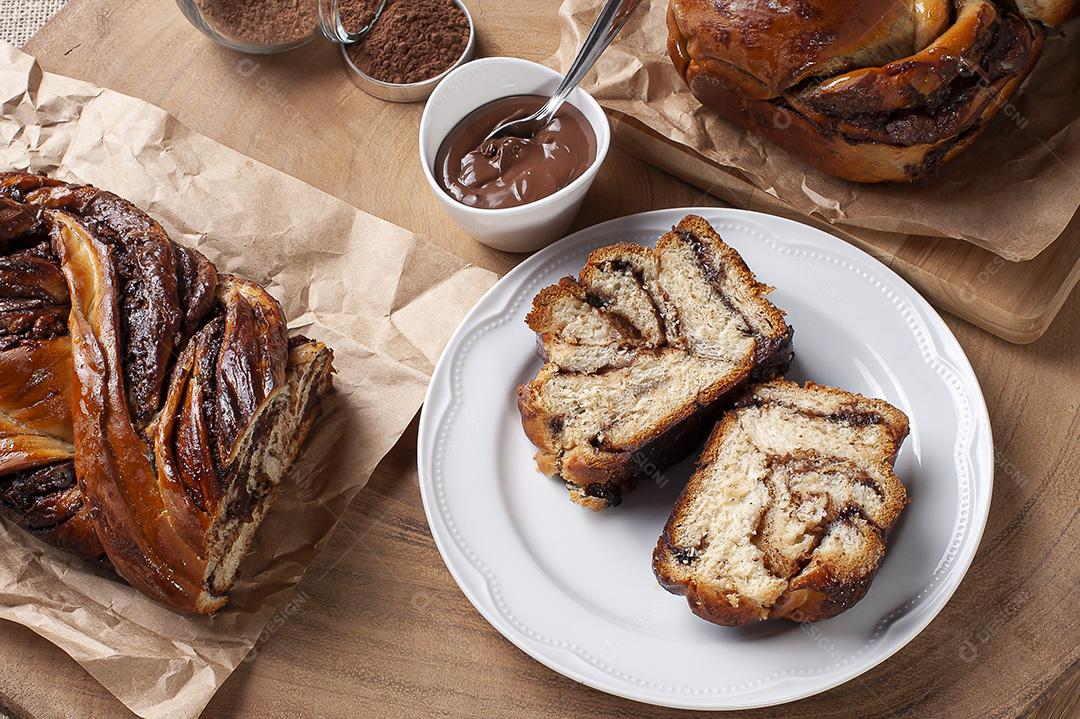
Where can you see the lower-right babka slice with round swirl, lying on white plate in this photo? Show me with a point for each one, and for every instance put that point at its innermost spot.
(788, 513)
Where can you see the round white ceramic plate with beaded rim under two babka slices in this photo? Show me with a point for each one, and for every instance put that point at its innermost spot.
(575, 590)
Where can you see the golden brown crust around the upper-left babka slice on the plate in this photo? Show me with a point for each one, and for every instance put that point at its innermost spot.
(598, 476)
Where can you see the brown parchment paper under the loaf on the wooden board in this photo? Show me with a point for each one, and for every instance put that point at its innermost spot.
(1012, 193)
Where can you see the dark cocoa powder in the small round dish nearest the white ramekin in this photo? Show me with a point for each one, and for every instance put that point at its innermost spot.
(413, 42)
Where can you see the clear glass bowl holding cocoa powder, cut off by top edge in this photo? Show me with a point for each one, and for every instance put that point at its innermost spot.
(254, 26)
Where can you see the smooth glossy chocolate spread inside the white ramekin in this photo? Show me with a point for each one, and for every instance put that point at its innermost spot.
(508, 172)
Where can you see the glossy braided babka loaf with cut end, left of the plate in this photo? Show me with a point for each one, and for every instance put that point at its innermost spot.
(150, 405)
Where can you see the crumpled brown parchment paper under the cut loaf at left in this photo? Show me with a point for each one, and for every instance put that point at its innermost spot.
(385, 301)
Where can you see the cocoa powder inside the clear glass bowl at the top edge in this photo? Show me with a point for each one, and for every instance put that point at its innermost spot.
(262, 22)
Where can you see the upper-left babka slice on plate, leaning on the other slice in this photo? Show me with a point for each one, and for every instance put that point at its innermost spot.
(643, 349)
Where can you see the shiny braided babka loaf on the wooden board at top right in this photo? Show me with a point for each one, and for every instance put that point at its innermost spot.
(869, 90)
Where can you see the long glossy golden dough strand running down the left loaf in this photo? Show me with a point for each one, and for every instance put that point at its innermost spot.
(112, 465)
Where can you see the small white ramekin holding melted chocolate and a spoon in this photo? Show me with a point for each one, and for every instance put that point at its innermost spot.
(529, 227)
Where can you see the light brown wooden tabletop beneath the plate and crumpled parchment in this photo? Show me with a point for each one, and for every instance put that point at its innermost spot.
(382, 630)
